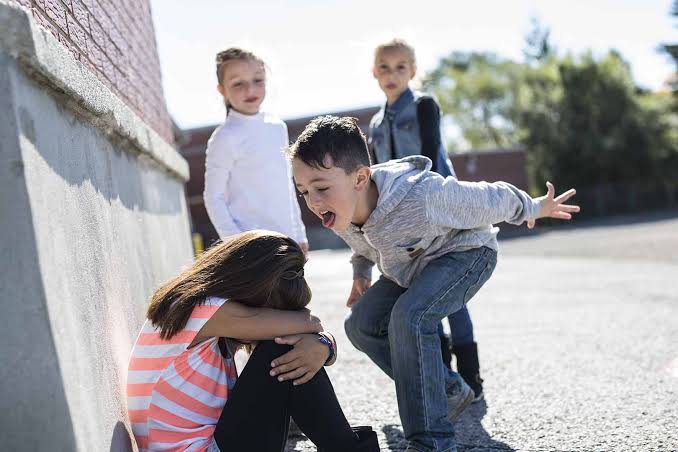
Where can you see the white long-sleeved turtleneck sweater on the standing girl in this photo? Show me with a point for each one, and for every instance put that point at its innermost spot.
(248, 179)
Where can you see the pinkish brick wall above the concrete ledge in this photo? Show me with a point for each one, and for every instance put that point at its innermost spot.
(115, 40)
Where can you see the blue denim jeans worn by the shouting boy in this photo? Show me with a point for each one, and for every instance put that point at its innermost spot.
(398, 329)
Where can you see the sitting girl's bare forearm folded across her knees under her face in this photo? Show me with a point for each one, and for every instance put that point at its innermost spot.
(238, 321)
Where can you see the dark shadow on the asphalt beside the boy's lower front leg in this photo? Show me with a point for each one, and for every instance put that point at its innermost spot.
(471, 436)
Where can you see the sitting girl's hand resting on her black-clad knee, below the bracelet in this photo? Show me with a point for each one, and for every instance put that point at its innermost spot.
(302, 362)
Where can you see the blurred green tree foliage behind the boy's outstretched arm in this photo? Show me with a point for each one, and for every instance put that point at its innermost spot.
(580, 118)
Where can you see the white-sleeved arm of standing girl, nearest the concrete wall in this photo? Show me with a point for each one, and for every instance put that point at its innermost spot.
(219, 163)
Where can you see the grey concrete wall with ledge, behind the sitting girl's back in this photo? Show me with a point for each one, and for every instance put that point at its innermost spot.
(92, 219)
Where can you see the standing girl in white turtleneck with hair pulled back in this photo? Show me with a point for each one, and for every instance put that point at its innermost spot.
(248, 181)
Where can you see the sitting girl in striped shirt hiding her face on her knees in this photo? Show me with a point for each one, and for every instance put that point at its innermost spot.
(183, 390)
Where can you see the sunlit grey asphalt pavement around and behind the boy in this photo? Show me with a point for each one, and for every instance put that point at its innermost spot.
(578, 338)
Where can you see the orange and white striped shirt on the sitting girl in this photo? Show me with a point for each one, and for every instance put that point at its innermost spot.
(175, 395)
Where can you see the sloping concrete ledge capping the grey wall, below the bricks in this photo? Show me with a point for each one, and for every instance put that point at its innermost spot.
(45, 60)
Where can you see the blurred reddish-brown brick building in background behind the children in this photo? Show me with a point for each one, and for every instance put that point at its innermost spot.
(489, 165)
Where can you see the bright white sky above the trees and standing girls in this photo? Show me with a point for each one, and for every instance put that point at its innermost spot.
(319, 53)
